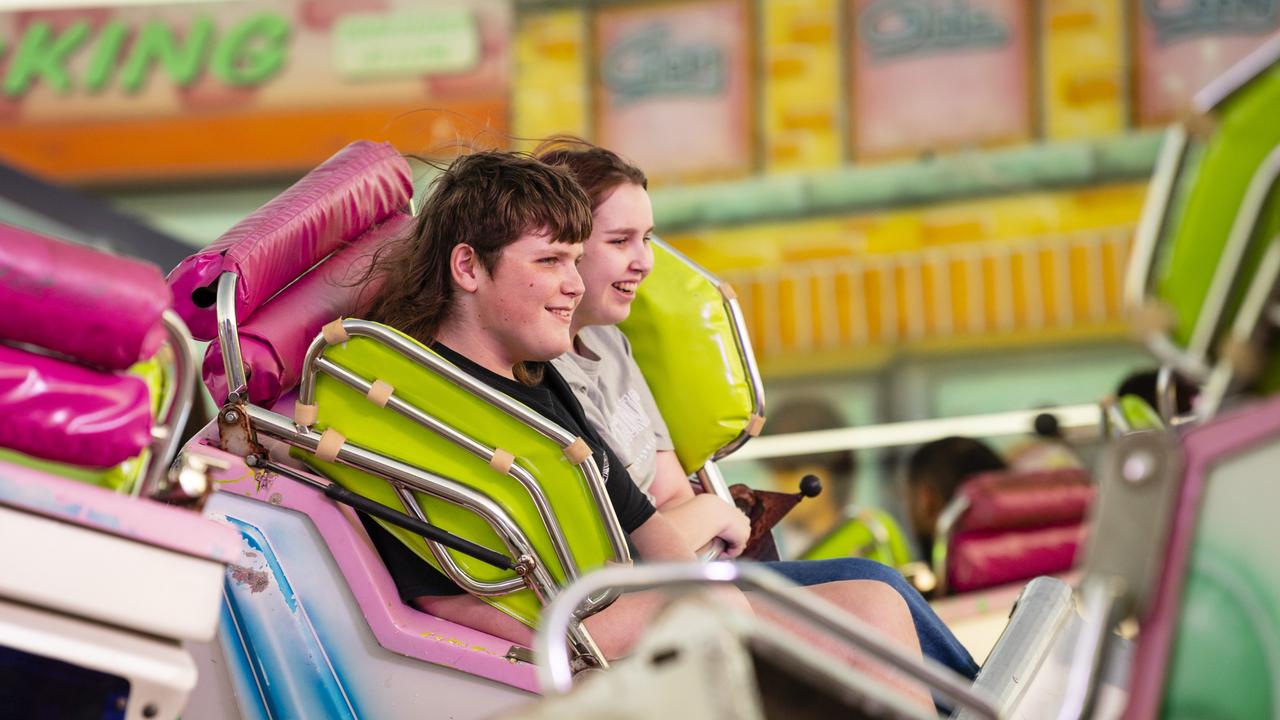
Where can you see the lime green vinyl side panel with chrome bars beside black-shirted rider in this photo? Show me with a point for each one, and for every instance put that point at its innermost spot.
(382, 430)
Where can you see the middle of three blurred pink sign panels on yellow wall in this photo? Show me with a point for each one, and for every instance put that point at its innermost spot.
(934, 75)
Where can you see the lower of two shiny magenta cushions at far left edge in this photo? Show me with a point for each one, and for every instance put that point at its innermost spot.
(62, 412)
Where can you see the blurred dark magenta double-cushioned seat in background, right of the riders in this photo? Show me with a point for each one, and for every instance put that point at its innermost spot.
(1018, 526)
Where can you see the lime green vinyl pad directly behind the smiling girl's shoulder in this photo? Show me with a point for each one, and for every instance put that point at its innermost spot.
(696, 358)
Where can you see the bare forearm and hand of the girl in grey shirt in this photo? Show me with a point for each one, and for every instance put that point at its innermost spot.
(698, 518)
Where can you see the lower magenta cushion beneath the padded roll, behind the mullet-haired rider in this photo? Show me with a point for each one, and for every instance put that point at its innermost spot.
(276, 340)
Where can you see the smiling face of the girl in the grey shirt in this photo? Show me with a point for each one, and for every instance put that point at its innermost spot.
(618, 257)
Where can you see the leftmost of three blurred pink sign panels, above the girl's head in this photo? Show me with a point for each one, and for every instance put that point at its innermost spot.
(673, 86)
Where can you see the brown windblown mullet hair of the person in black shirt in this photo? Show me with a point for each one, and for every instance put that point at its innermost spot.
(487, 200)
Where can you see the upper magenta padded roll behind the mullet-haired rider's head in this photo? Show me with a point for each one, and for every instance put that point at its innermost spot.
(360, 186)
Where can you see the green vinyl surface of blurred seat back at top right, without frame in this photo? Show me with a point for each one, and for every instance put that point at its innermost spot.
(1209, 195)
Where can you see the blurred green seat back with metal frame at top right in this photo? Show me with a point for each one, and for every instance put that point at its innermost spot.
(1209, 192)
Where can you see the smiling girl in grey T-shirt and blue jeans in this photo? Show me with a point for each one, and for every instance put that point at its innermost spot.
(619, 405)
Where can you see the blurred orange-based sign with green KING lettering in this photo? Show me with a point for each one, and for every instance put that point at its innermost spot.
(198, 90)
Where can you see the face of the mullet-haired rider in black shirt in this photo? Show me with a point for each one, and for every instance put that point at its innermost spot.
(524, 309)
